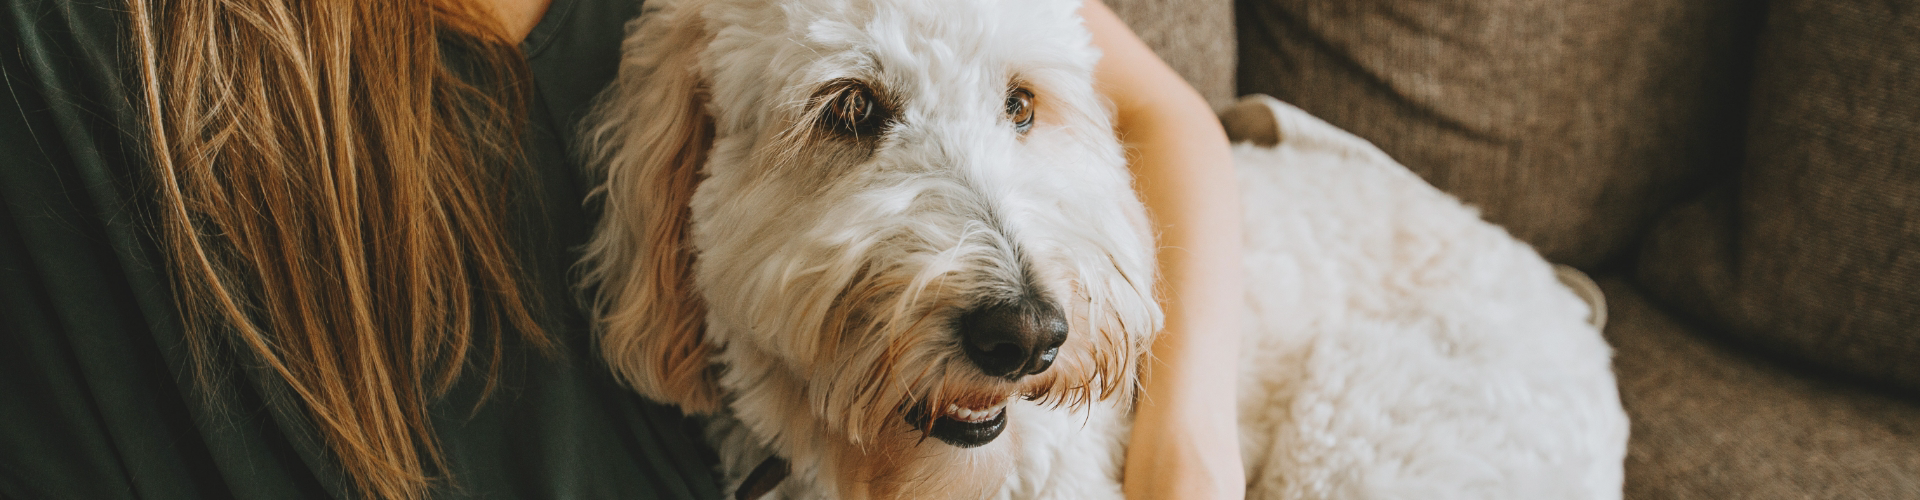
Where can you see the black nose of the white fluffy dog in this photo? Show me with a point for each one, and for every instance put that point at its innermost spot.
(1013, 339)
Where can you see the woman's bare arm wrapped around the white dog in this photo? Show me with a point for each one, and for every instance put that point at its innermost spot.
(1186, 432)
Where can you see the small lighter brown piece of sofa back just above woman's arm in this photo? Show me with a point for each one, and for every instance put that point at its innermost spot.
(1191, 36)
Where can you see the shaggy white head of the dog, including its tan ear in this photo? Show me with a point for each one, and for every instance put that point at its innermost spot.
(861, 224)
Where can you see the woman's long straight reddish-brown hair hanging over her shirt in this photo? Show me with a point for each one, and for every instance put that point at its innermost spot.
(331, 205)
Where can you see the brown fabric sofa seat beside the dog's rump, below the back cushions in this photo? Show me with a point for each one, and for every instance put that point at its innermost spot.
(1710, 422)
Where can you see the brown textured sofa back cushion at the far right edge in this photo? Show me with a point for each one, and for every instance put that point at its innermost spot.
(1815, 251)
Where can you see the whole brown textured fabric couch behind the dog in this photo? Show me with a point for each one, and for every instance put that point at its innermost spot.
(1742, 178)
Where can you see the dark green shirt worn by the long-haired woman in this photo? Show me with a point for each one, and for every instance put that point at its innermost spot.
(93, 366)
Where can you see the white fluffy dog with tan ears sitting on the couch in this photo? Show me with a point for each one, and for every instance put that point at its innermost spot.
(892, 249)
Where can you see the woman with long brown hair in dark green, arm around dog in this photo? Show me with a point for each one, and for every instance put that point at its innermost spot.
(277, 249)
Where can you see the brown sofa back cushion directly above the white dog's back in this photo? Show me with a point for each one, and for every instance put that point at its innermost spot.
(1566, 122)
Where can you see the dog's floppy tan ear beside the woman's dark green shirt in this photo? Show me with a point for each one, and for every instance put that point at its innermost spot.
(648, 139)
